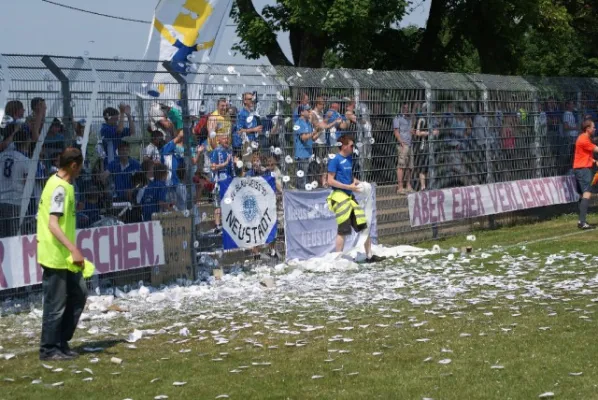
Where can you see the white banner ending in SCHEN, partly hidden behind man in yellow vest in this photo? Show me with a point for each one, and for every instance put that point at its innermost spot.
(110, 248)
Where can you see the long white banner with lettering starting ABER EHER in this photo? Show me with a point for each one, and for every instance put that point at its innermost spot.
(438, 206)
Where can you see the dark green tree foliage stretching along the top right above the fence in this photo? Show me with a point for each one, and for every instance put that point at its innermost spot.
(533, 37)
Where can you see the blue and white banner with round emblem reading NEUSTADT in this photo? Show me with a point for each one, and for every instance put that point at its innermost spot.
(248, 212)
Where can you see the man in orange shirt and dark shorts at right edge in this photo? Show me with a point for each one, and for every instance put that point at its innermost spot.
(583, 168)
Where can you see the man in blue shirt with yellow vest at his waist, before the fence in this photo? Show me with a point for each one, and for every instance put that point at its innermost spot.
(349, 214)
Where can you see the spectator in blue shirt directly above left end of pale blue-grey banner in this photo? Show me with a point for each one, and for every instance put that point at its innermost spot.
(304, 135)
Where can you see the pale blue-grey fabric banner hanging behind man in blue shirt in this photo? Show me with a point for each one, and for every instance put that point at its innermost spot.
(310, 227)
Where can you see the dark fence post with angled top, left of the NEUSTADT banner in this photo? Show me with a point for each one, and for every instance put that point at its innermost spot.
(188, 143)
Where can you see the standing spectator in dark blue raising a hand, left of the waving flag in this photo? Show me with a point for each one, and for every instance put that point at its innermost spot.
(113, 129)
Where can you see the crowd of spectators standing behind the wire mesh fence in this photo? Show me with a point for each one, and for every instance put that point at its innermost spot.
(458, 144)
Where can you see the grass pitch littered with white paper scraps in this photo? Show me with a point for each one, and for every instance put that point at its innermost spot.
(512, 320)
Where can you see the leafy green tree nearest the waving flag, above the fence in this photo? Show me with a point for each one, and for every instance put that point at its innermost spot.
(347, 31)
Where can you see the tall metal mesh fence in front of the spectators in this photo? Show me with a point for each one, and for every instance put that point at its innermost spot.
(413, 131)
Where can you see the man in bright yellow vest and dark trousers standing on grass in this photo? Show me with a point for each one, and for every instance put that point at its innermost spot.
(65, 292)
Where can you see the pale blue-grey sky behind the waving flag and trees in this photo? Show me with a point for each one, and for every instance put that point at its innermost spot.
(42, 28)
